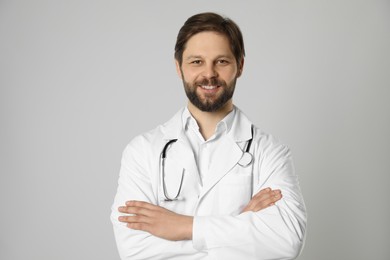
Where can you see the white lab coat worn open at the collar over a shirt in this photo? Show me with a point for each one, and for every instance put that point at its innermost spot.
(219, 230)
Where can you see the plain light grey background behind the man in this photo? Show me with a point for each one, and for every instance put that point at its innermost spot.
(79, 79)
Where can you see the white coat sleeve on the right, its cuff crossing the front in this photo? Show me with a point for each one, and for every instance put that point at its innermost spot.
(276, 232)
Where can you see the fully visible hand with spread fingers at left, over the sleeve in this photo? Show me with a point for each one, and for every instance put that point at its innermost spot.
(157, 221)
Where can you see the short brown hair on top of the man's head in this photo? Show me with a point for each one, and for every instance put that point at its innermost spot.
(210, 22)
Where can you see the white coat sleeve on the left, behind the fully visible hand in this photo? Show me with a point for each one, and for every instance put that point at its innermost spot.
(135, 184)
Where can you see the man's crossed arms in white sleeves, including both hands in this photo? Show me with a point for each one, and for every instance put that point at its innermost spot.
(262, 231)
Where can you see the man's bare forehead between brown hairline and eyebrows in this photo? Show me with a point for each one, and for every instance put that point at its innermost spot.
(208, 44)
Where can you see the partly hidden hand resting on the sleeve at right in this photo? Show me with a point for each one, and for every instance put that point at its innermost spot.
(263, 199)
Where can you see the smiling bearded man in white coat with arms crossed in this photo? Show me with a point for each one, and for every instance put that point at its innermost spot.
(208, 184)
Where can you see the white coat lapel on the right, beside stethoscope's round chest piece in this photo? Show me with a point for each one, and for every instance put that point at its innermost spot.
(227, 155)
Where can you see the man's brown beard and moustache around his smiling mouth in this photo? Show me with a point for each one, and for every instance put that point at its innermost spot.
(211, 102)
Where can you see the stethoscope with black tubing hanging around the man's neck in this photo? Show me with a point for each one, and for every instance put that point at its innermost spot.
(245, 161)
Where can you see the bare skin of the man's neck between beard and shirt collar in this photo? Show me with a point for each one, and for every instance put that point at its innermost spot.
(208, 121)
